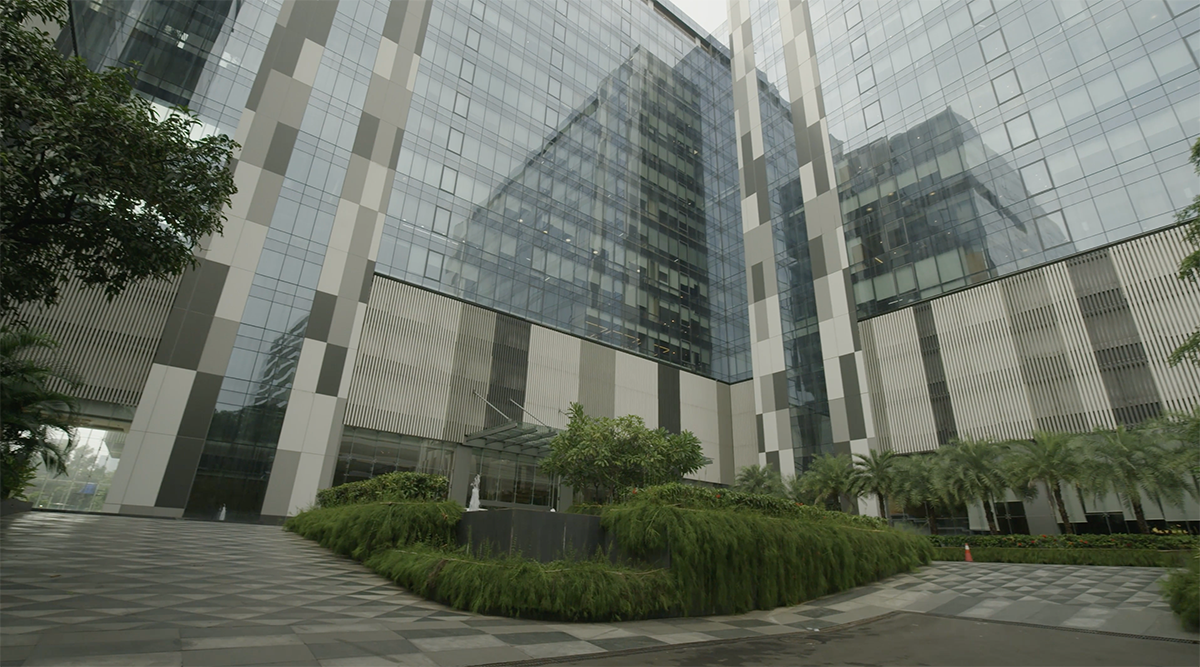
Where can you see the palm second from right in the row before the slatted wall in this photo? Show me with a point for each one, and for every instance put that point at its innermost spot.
(1049, 459)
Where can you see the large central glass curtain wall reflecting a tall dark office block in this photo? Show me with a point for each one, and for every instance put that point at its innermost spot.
(574, 165)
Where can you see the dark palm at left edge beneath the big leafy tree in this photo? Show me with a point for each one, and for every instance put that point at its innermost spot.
(32, 413)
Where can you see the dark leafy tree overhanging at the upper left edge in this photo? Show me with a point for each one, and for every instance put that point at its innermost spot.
(95, 184)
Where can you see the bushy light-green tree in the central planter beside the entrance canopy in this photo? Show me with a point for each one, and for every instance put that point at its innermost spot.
(609, 456)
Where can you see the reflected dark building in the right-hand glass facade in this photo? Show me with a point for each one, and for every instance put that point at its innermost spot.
(934, 209)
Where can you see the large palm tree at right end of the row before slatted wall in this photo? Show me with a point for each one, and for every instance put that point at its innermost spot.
(1129, 462)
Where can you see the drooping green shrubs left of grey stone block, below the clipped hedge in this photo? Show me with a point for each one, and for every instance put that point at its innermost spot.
(363, 530)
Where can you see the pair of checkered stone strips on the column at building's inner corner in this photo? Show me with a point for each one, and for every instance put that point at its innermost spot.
(842, 351)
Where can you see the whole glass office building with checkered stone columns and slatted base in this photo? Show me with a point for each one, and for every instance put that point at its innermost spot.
(809, 230)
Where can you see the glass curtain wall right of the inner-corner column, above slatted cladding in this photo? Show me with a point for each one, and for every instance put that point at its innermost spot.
(979, 139)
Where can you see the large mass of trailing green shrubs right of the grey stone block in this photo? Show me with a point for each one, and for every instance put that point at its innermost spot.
(731, 562)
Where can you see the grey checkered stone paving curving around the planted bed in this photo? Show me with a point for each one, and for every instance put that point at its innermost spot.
(99, 591)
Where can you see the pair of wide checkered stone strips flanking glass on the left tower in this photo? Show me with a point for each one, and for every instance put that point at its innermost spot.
(171, 425)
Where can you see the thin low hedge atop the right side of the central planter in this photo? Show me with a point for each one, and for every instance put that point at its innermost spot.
(706, 498)
